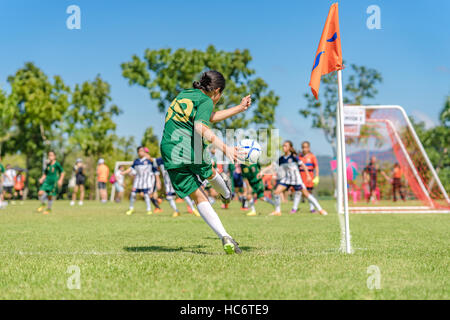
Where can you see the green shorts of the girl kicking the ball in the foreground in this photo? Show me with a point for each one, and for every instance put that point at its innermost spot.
(189, 178)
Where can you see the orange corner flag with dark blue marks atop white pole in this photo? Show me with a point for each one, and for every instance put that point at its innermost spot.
(329, 54)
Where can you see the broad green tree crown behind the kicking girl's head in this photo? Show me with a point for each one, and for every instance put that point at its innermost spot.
(164, 73)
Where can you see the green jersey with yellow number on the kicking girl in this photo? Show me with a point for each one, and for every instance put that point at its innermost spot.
(179, 146)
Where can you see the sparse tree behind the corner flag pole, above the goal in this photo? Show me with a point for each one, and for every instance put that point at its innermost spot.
(360, 85)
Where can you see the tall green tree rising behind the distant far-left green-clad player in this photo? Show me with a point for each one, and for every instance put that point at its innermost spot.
(38, 105)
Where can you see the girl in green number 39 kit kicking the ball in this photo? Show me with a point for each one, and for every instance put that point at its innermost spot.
(187, 127)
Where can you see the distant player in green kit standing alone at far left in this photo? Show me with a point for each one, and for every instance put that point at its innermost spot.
(50, 181)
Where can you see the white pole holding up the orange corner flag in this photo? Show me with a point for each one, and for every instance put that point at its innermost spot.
(343, 160)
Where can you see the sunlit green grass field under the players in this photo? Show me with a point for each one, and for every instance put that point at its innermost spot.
(160, 257)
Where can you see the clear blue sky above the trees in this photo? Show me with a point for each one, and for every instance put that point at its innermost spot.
(411, 50)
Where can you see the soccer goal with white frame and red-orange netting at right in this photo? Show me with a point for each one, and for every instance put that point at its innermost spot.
(386, 133)
